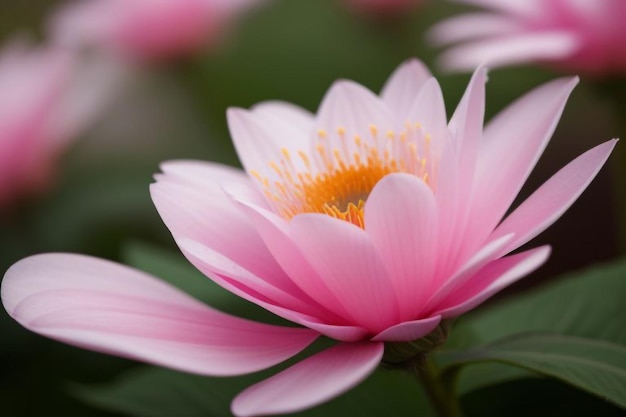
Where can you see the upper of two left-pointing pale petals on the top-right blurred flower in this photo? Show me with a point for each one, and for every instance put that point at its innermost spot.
(471, 26)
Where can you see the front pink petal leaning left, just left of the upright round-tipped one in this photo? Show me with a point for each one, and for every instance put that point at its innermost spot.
(345, 259)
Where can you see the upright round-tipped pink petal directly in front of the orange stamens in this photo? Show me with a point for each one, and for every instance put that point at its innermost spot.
(401, 219)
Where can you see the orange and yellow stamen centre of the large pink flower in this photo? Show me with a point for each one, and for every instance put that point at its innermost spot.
(337, 177)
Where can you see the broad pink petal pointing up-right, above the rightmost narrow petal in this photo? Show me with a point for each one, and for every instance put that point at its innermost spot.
(513, 142)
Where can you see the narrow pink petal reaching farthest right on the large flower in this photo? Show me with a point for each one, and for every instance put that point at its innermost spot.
(554, 197)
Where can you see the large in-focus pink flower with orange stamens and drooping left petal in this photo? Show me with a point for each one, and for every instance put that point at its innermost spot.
(370, 222)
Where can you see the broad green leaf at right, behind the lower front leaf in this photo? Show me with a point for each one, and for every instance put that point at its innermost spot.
(586, 304)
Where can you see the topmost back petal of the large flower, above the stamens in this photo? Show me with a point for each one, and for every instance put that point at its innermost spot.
(403, 86)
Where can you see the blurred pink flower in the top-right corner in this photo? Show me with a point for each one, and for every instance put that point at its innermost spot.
(575, 35)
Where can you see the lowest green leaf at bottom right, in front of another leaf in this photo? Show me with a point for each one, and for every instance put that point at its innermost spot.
(596, 366)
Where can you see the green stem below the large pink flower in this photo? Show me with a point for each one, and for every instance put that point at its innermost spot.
(441, 397)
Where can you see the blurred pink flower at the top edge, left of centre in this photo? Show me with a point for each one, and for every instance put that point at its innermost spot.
(145, 29)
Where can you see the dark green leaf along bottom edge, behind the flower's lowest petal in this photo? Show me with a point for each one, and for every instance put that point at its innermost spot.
(157, 392)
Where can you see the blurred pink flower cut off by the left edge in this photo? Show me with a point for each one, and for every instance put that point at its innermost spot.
(46, 100)
